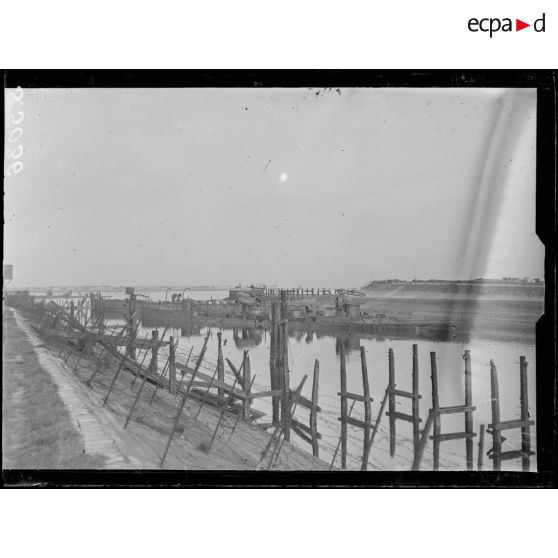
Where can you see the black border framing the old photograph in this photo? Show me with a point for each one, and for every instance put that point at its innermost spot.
(547, 440)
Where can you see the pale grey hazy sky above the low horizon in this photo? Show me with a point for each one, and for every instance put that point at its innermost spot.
(287, 187)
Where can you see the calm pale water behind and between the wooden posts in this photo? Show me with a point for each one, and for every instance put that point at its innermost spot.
(304, 348)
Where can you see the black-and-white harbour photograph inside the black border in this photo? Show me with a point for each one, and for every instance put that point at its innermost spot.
(271, 279)
